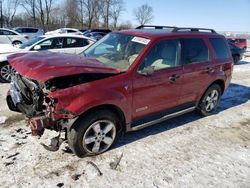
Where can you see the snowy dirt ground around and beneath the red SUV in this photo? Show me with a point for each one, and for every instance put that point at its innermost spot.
(188, 151)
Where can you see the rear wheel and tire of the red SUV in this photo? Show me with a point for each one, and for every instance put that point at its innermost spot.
(210, 100)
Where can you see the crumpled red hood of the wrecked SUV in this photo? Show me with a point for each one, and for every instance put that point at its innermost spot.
(43, 66)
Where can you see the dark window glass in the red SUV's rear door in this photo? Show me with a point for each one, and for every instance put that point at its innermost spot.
(194, 51)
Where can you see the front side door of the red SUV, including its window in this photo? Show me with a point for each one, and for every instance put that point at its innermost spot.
(158, 92)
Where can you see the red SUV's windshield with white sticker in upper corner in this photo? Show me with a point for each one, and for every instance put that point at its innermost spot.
(117, 50)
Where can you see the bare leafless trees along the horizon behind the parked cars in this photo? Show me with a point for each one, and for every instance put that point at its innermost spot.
(83, 14)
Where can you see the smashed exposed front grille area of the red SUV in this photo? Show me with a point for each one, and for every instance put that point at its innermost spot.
(27, 96)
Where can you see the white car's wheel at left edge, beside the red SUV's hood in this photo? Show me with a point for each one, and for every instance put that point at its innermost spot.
(6, 71)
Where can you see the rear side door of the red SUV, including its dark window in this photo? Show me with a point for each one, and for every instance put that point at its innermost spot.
(198, 69)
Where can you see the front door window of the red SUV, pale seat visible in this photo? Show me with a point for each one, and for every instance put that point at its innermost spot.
(163, 55)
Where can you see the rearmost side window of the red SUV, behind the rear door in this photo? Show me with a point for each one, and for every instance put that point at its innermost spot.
(220, 48)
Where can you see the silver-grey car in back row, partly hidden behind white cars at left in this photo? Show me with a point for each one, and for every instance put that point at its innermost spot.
(29, 31)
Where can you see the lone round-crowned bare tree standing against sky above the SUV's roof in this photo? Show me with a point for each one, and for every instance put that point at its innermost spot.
(144, 14)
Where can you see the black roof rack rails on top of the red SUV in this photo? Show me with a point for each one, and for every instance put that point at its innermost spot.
(177, 29)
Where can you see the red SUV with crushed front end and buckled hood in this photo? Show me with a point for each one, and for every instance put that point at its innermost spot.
(126, 81)
